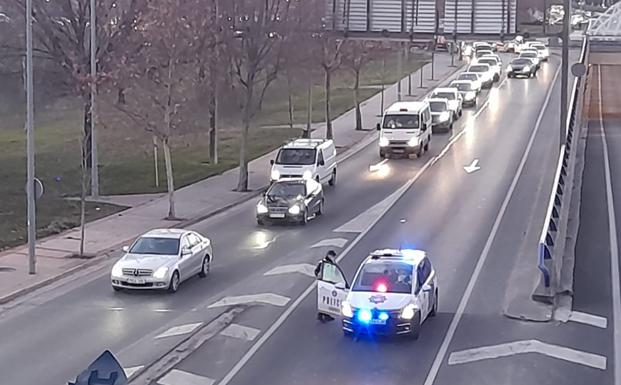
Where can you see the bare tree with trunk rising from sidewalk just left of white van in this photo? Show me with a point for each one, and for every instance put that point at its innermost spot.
(257, 31)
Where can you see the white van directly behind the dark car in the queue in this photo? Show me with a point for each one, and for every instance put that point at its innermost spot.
(307, 159)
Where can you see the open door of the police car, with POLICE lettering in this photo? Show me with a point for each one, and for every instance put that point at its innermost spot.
(332, 288)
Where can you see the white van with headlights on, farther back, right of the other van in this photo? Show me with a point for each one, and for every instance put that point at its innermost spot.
(405, 129)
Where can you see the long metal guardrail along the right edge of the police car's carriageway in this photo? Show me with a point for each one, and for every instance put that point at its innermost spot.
(551, 241)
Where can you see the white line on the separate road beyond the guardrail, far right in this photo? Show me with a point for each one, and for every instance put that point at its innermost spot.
(614, 244)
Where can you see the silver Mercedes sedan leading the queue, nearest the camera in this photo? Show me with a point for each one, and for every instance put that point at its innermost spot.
(162, 259)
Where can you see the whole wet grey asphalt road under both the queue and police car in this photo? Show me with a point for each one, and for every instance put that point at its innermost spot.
(451, 214)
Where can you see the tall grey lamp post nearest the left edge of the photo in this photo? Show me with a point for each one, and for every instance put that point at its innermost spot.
(30, 182)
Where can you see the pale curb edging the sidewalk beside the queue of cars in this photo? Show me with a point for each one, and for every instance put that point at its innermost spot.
(100, 257)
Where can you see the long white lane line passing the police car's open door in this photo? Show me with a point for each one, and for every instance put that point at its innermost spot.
(283, 317)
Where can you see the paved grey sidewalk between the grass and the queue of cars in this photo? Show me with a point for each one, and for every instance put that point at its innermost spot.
(194, 203)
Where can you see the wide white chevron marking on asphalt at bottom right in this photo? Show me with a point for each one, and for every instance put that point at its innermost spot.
(528, 346)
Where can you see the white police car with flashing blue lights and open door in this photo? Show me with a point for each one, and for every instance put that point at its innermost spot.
(393, 293)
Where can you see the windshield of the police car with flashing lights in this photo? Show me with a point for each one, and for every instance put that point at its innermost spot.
(388, 277)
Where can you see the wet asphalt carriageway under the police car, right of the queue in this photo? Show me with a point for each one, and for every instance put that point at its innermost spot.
(473, 227)
